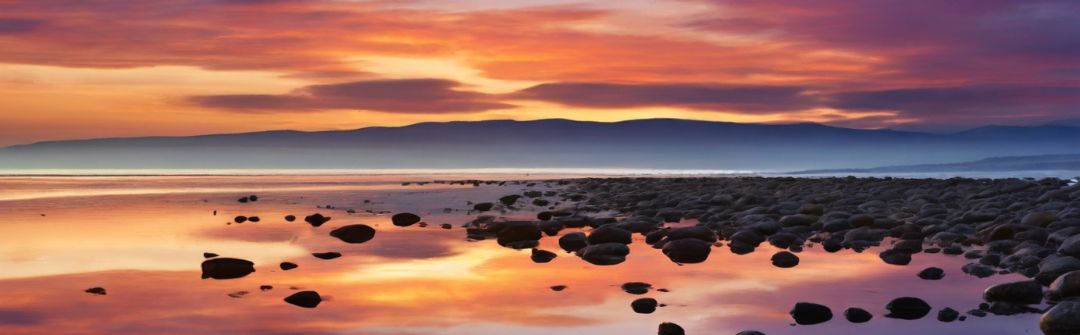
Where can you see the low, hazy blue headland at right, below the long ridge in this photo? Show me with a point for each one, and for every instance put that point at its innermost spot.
(1047, 163)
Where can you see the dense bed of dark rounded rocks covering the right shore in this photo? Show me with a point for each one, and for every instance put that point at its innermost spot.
(1031, 227)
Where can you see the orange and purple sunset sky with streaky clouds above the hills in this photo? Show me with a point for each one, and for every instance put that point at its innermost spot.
(107, 69)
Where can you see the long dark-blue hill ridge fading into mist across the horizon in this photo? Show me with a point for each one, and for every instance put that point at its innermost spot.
(647, 144)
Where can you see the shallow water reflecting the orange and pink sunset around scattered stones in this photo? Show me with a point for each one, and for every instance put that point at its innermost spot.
(143, 239)
